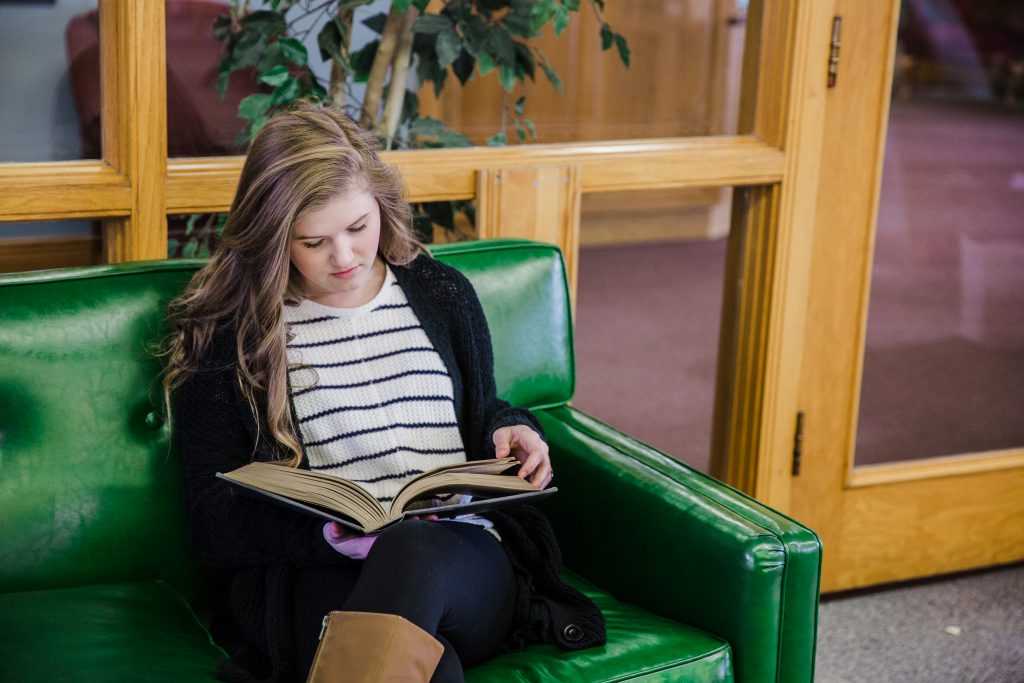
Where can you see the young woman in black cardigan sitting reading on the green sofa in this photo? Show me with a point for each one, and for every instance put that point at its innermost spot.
(321, 335)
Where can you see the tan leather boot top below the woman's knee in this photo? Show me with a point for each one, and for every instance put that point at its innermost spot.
(366, 648)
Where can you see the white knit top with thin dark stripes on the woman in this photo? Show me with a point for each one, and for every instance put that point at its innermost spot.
(373, 399)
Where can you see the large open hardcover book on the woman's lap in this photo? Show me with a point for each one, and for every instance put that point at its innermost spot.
(346, 502)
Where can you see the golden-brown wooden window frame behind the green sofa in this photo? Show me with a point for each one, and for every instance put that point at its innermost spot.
(136, 187)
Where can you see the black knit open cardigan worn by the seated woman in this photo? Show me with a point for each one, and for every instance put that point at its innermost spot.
(255, 545)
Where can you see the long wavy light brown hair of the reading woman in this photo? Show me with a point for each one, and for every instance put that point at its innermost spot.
(300, 161)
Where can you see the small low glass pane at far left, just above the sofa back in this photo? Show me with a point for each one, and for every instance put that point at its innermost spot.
(38, 246)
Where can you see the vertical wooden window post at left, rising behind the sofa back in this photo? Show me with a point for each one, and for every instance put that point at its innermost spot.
(134, 69)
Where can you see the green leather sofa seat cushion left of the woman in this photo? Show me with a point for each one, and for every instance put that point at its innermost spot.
(120, 632)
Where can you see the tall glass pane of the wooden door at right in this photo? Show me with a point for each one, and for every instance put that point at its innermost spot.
(945, 361)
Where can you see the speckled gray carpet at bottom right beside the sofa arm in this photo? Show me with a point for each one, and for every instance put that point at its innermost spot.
(966, 628)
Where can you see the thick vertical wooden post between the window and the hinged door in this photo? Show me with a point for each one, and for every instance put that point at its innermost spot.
(763, 328)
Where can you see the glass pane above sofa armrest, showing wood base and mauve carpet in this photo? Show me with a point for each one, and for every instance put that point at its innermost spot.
(651, 281)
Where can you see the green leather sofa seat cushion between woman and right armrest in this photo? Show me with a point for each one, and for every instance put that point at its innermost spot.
(642, 647)
